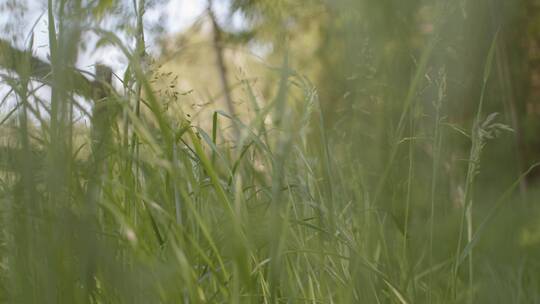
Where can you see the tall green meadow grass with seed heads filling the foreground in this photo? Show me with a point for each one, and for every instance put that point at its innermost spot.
(137, 204)
